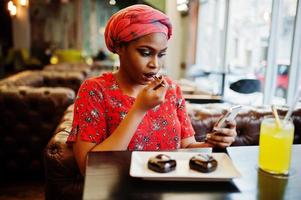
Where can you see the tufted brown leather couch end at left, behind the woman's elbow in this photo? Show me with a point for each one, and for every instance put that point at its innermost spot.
(63, 178)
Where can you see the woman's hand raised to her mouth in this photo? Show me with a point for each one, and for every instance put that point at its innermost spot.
(151, 95)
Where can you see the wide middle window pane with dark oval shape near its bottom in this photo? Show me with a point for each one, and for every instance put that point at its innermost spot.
(248, 36)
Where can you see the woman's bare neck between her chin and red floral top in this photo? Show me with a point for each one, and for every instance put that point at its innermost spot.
(126, 85)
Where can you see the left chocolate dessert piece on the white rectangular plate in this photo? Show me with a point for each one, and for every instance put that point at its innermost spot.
(161, 163)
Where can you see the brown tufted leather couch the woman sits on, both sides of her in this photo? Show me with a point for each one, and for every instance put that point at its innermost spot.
(63, 179)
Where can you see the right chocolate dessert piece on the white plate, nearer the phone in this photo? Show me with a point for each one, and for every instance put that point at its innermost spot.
(203, 163)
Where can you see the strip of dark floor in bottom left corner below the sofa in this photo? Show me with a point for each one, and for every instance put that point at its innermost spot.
(22, 190)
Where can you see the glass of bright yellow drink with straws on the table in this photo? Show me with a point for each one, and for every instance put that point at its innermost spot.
(275, 144)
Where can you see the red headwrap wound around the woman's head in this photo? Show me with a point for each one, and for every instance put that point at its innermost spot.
(133, 22)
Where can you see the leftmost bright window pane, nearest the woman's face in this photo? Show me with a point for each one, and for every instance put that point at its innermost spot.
(207, 71)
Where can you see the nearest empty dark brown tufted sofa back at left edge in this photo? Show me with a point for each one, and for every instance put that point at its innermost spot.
(28, 119)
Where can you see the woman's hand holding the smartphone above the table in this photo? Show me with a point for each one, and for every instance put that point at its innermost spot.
(223, 137)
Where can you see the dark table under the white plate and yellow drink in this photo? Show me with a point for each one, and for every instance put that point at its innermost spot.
(107, 177)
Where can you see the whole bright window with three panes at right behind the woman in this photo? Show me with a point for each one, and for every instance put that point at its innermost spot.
(247, 45)
